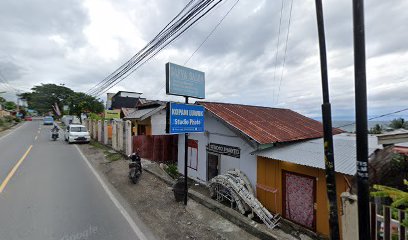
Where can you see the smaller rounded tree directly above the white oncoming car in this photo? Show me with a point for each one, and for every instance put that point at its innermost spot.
(80, 102)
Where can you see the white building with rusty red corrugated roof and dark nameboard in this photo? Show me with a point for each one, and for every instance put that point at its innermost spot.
(233, 132)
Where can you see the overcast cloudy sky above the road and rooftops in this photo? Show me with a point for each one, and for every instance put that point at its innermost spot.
(79, 42)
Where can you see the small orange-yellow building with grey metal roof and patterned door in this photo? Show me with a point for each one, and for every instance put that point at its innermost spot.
(291, 179)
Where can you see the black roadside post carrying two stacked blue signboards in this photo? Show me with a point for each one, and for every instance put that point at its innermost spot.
(184, 118)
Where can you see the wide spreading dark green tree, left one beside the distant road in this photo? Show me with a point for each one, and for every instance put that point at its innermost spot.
(43, 97)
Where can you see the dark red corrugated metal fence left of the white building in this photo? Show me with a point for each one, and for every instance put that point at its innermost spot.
(157, 148)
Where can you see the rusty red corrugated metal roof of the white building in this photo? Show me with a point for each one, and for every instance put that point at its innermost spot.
(265, 124)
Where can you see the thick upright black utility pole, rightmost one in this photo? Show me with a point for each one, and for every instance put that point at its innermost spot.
(361, 119)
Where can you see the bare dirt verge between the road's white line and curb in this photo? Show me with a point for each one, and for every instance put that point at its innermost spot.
(154, 202)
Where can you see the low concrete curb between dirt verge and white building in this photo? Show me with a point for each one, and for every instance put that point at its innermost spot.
(228, 213)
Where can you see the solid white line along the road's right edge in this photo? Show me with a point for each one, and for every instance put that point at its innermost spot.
(122, 210)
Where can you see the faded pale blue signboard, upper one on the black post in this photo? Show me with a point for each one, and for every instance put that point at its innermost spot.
(182, 81)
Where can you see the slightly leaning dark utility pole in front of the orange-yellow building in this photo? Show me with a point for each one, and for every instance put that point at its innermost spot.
(328, 130)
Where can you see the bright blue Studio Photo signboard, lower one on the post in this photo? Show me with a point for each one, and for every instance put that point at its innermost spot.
(184, 118)
